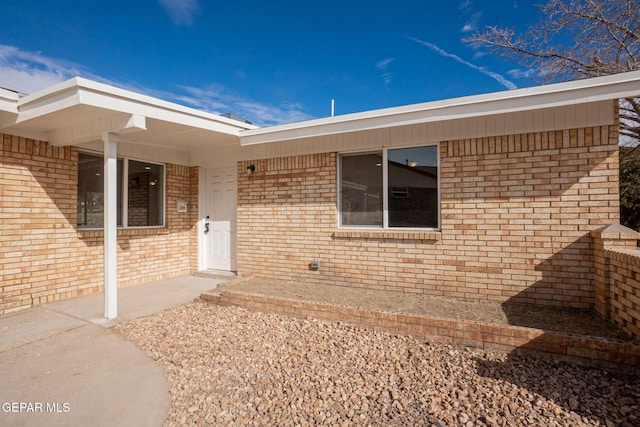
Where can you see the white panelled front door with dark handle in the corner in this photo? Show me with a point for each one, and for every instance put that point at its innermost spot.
(220, 219)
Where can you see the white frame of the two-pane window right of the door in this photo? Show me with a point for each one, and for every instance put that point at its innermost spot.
(385, 189)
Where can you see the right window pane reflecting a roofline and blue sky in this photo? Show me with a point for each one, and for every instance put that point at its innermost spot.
(413, 187)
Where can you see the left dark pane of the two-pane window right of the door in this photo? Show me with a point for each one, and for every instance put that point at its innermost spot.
(361, 189)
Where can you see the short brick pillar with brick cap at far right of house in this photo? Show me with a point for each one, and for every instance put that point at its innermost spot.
(609, 237)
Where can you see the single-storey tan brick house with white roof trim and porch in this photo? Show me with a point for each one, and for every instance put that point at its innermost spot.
(492, 197)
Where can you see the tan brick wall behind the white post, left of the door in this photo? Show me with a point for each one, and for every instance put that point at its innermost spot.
(44, 258)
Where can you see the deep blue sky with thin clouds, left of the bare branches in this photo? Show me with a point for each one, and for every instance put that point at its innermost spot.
(269, 61)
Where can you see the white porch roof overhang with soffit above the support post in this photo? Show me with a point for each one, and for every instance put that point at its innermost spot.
(79, 110)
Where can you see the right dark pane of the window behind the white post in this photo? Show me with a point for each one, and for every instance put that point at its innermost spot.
(145, 194)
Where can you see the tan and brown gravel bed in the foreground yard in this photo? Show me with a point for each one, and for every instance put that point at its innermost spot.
(231, 366)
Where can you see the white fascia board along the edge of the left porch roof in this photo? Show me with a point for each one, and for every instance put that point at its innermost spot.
(79, 91)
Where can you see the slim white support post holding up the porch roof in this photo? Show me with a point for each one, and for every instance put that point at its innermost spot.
(110, 225)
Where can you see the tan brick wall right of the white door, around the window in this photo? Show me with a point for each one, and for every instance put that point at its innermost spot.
(516, 212)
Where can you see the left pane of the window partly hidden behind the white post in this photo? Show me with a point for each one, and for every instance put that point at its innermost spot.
(91, 191)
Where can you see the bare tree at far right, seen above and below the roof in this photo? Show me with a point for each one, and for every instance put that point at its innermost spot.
(577, 39)
